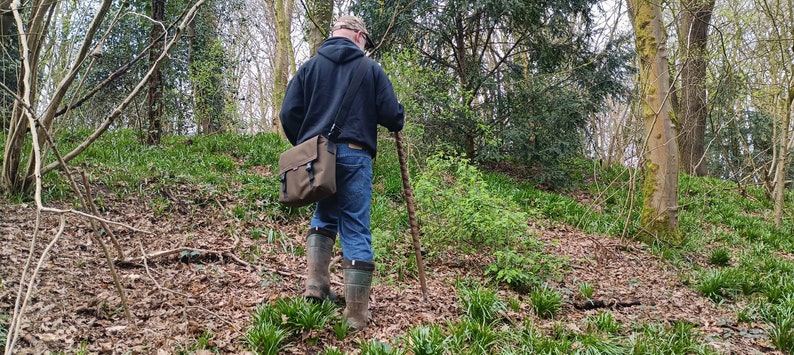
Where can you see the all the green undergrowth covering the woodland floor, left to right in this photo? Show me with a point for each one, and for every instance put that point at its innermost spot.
(733, 254)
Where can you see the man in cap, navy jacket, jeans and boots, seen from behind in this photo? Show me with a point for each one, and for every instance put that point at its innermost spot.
(311, 102)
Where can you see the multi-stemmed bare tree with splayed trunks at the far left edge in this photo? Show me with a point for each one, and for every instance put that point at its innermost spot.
(34, 24)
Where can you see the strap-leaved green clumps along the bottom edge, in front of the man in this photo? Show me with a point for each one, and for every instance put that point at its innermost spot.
(482, 327)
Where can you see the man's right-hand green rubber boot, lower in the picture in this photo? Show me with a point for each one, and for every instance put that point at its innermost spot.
(358, 283)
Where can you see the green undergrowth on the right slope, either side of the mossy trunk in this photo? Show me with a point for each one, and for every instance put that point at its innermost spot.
(733, 254)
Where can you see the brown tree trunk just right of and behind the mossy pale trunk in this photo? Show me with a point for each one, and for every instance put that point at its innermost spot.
(693, 36)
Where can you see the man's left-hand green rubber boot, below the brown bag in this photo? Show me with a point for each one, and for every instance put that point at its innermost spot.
(319, 248)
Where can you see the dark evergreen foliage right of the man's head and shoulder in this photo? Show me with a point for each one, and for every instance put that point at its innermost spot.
(527, 102)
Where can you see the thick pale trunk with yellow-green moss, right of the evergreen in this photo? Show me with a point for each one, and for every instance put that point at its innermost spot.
(659, 217)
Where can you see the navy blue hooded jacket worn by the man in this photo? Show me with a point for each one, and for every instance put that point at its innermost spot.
(315, 94)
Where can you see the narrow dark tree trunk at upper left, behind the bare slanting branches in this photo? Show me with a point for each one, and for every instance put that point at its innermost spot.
(155, 94)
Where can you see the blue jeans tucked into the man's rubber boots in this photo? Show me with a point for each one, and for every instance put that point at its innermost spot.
(347, 211)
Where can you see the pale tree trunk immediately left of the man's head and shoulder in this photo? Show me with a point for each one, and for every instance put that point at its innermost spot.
(283, 13)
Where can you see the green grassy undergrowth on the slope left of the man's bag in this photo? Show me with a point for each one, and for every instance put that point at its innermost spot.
(196, 170)
